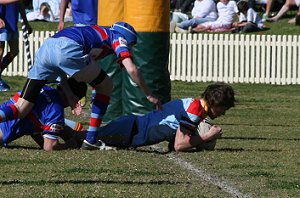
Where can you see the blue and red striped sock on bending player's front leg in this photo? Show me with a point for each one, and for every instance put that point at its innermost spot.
(99, 107)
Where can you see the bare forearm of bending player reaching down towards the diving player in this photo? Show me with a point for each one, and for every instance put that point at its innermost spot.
(139, 80)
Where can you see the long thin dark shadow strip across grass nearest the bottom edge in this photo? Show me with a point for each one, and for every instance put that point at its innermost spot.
(96, 181)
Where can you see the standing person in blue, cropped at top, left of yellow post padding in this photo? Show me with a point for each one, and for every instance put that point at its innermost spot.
(83, 12)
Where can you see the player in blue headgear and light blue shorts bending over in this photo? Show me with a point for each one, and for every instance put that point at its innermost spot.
(68, 53)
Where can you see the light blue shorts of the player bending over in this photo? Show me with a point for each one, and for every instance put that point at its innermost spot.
(58, 57)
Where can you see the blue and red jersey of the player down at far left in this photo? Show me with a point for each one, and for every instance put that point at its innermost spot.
(46, 116)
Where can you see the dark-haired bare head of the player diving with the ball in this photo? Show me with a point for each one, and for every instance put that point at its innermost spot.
(219, 97)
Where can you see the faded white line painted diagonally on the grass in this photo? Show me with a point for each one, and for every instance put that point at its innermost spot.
(223, 185)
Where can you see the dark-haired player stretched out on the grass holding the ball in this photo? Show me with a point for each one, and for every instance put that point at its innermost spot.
(176, 123)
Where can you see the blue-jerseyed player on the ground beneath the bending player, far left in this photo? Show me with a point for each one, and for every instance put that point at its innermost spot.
(45, 123)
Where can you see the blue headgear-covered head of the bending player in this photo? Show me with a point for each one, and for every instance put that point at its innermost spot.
(127, 31)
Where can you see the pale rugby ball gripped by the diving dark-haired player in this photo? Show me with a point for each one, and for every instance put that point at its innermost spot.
(204, 127)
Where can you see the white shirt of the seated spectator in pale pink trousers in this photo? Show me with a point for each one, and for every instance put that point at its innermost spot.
(226, 12)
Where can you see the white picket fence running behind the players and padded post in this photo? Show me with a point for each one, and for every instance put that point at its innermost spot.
(232, 58)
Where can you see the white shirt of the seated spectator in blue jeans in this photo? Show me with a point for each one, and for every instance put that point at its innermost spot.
(204, 9)
